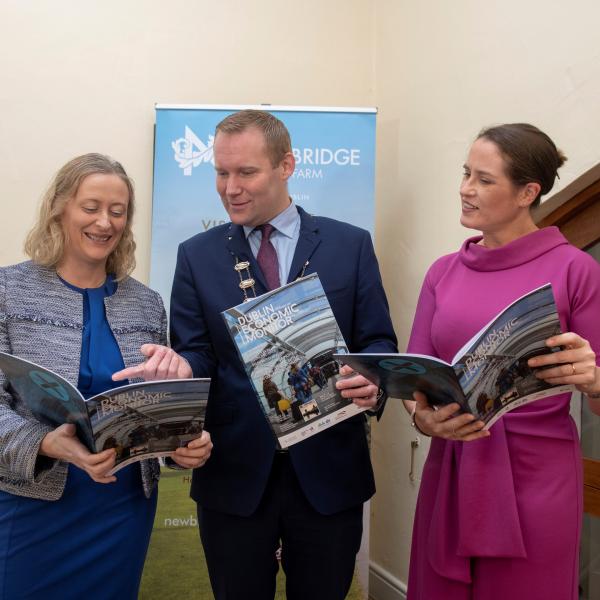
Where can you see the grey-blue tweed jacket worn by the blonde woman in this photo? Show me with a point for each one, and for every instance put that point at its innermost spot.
(41, 320)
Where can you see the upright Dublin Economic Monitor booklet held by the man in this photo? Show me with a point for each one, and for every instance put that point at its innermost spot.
(286, 340)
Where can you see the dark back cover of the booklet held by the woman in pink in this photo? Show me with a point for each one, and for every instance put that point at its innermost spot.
(402, 374)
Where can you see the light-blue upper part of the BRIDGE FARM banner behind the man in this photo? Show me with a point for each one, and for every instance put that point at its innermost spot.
(334, 177)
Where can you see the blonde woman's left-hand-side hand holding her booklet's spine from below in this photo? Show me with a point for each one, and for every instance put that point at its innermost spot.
(62, 443)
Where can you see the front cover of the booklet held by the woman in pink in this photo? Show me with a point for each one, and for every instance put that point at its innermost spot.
(493, 371)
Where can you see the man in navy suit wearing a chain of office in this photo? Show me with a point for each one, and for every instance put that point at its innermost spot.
(252, 497)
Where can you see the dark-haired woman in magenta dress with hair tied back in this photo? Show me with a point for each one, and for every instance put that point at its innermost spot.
(499, 512)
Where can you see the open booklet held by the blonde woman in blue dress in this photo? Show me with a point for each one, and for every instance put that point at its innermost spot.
(139, 420)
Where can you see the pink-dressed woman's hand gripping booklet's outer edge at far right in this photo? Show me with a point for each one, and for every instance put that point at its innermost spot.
(575, 364)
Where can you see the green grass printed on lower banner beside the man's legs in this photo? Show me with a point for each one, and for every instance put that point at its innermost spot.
(175, 565)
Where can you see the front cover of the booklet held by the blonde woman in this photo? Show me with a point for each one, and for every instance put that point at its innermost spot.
(148, 419)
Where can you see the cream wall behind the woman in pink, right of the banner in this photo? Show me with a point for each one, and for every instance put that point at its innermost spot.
(442, 71)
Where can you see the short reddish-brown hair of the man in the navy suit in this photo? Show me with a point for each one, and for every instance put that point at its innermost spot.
(277, 138)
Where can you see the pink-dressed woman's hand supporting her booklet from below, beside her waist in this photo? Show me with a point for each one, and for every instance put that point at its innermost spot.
(445, 423)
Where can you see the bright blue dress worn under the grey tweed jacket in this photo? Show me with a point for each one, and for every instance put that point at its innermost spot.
(92, 542)
